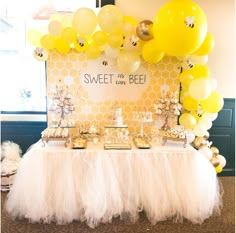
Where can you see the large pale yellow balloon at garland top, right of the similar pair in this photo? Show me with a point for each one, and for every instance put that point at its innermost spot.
(110, 18)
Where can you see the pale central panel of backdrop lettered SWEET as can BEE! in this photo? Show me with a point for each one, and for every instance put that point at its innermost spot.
(103, 81)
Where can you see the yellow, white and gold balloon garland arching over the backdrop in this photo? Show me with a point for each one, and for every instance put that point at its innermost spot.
(178, 29)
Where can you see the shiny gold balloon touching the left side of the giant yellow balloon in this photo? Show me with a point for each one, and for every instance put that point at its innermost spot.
(144, 30)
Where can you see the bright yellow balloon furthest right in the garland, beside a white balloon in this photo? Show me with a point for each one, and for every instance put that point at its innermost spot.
(214, 103)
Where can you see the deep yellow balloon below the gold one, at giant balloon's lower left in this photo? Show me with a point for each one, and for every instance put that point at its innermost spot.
(151, 52)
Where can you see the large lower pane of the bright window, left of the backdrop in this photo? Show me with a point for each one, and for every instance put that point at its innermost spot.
(23, 78)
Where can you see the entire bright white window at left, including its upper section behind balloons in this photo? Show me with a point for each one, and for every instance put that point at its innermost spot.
(23, 78)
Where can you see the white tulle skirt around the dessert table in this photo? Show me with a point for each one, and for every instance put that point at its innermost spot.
(94, 185)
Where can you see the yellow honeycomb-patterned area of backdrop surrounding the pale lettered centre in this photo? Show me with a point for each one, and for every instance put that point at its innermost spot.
(67, 69)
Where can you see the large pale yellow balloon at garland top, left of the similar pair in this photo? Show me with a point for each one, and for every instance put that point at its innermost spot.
(84, 21)
